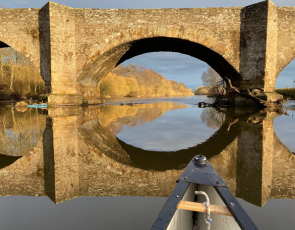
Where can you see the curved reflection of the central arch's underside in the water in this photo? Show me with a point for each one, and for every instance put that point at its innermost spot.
(93, 132)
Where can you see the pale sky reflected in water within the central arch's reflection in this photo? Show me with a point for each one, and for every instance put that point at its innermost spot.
(160, 135)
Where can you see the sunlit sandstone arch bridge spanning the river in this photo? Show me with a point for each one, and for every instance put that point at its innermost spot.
(75, 48)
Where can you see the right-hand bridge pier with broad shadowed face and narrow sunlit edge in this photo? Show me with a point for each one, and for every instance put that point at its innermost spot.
(258, 46)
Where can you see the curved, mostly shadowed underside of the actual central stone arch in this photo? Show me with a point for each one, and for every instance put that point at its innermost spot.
(207, 50)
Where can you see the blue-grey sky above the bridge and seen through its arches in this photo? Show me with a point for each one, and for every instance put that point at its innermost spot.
(173, 66)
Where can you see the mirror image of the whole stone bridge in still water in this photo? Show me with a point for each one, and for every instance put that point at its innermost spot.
(82, 158)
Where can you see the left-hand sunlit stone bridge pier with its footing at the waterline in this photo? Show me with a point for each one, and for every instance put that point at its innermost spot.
(58, 57)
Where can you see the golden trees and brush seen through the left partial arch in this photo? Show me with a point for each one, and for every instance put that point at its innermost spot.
(19, 79)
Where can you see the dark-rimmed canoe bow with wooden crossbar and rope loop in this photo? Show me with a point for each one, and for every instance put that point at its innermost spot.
(187, 207)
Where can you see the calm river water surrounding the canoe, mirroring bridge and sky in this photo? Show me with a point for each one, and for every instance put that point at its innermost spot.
(113, 167)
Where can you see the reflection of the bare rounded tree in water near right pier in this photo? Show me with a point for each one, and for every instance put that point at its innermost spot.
(213, 118)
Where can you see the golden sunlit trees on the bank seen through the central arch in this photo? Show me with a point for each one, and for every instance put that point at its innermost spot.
(137, 81)
